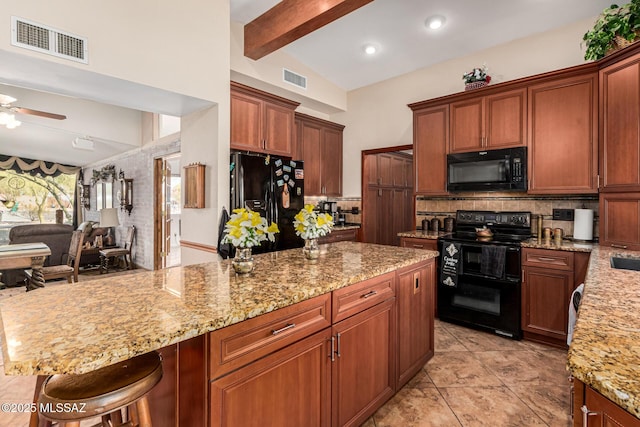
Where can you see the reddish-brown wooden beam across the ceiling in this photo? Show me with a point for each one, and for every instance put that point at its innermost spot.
(290, 20)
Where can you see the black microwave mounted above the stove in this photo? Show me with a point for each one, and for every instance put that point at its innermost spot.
(490, 170)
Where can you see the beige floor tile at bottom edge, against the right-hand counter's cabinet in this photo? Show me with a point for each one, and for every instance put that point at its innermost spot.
(551, 403)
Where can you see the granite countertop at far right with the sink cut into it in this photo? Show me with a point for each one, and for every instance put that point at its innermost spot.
(605, 351)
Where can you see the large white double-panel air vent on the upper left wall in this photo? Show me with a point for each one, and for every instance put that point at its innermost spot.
(40, 38)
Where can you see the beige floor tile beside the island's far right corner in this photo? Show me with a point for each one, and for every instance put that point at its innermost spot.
(459, 369)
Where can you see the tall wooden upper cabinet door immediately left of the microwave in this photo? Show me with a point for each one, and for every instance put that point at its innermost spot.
(430, 140)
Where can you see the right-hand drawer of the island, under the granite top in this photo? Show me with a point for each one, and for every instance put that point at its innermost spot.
(361, 296)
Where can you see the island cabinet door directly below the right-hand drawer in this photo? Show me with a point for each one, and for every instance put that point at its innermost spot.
(363, 374)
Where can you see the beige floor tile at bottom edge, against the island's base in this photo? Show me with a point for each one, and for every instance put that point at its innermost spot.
(417, 408)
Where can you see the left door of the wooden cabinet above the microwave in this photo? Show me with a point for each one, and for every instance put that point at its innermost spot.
(467, 125)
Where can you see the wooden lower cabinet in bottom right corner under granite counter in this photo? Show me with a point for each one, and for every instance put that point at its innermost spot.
(600, 411)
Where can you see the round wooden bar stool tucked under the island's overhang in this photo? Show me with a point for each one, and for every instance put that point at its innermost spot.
(69, 399)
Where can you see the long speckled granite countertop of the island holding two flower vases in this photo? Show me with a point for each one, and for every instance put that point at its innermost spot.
(77, 328)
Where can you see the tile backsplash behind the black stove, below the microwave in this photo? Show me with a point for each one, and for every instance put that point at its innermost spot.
(537, 205)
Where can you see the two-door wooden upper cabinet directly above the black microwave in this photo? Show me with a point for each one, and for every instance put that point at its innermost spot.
(489, 122)
